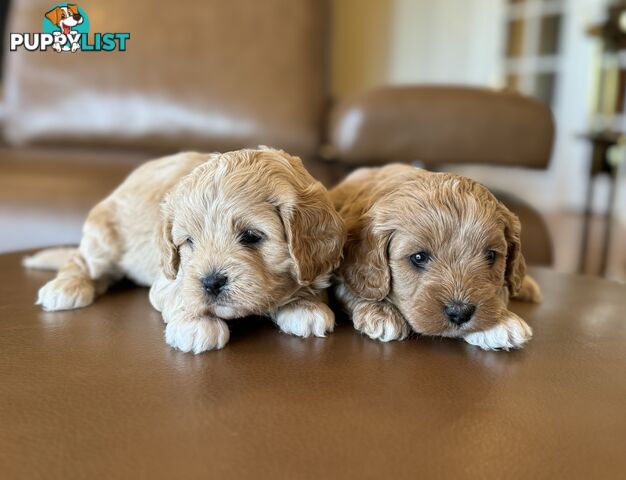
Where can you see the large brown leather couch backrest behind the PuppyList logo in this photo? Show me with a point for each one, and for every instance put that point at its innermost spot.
(197, 74)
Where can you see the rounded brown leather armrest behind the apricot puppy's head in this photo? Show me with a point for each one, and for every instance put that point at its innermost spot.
(438, 124)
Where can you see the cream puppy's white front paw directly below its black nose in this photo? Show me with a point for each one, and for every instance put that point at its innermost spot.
(197, 336)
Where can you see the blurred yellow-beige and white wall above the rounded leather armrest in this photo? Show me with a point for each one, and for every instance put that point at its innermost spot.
(380, 42)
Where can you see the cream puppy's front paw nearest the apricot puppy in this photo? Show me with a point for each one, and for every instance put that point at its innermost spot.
(306, 319)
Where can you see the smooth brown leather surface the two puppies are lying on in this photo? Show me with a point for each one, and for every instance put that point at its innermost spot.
(96, 393)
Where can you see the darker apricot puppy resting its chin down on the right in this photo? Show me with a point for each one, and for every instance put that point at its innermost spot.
(430, 252)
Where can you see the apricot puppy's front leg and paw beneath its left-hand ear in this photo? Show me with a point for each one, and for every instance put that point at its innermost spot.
(378, 320)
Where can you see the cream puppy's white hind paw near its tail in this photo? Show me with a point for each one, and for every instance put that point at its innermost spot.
(66, 294)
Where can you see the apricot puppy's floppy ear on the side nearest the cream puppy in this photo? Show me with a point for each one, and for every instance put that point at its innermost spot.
(365, 268)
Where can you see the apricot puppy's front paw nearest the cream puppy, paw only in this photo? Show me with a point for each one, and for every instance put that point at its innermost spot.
(380, 321)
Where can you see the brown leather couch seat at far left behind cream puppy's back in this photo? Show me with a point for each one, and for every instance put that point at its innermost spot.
(45, 194)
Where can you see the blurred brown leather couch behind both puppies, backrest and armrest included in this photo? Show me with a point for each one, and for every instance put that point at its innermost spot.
(216, 75)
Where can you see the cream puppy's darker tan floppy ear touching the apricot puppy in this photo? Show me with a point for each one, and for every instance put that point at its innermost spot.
(315, 233)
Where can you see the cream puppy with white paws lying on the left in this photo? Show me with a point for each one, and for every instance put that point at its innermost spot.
(217, 237)
